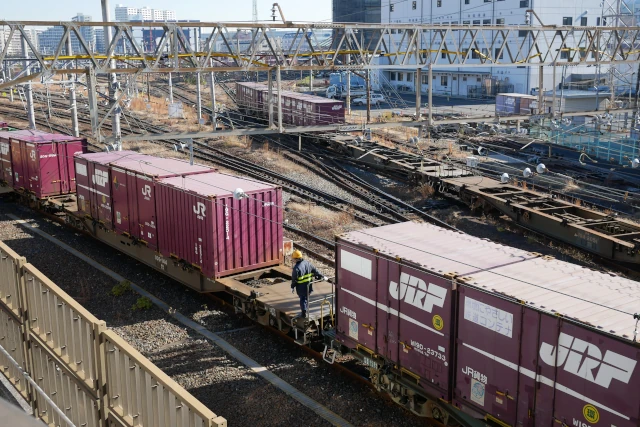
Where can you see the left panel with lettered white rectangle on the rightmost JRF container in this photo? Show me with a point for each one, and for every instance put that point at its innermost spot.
(488, 354)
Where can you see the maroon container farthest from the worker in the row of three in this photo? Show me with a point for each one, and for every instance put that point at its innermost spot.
(93, 180)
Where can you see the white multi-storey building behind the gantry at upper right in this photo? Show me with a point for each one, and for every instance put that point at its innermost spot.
(477, 80)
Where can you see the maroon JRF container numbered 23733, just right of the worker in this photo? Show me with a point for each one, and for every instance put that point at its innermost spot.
(412, 322)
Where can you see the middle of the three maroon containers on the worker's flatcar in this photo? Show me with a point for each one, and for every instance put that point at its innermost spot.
(133, 183)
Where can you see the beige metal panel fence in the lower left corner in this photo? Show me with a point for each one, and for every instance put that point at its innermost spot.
(72, 369)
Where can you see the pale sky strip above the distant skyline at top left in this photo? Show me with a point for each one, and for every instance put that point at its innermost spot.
(204, 10)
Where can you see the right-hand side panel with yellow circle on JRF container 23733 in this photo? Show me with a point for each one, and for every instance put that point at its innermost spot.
(424, 326)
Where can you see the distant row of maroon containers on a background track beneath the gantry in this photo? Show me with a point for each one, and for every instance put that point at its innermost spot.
(298, 109)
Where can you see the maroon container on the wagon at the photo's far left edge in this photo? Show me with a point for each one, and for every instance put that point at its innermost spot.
(42, 163)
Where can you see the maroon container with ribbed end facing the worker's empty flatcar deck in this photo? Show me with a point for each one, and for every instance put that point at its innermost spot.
(200, 222)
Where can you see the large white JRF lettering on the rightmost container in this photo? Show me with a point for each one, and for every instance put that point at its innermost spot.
(585, 360)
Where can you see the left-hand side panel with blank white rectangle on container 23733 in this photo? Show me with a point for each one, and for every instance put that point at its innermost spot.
(356, 297)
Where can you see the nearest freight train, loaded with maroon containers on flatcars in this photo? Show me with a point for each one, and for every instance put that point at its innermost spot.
(452, 327)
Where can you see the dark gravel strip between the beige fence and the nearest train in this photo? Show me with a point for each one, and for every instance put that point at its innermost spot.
(220, 382)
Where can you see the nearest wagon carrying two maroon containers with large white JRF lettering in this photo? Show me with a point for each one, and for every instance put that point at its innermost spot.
(460, 329)
